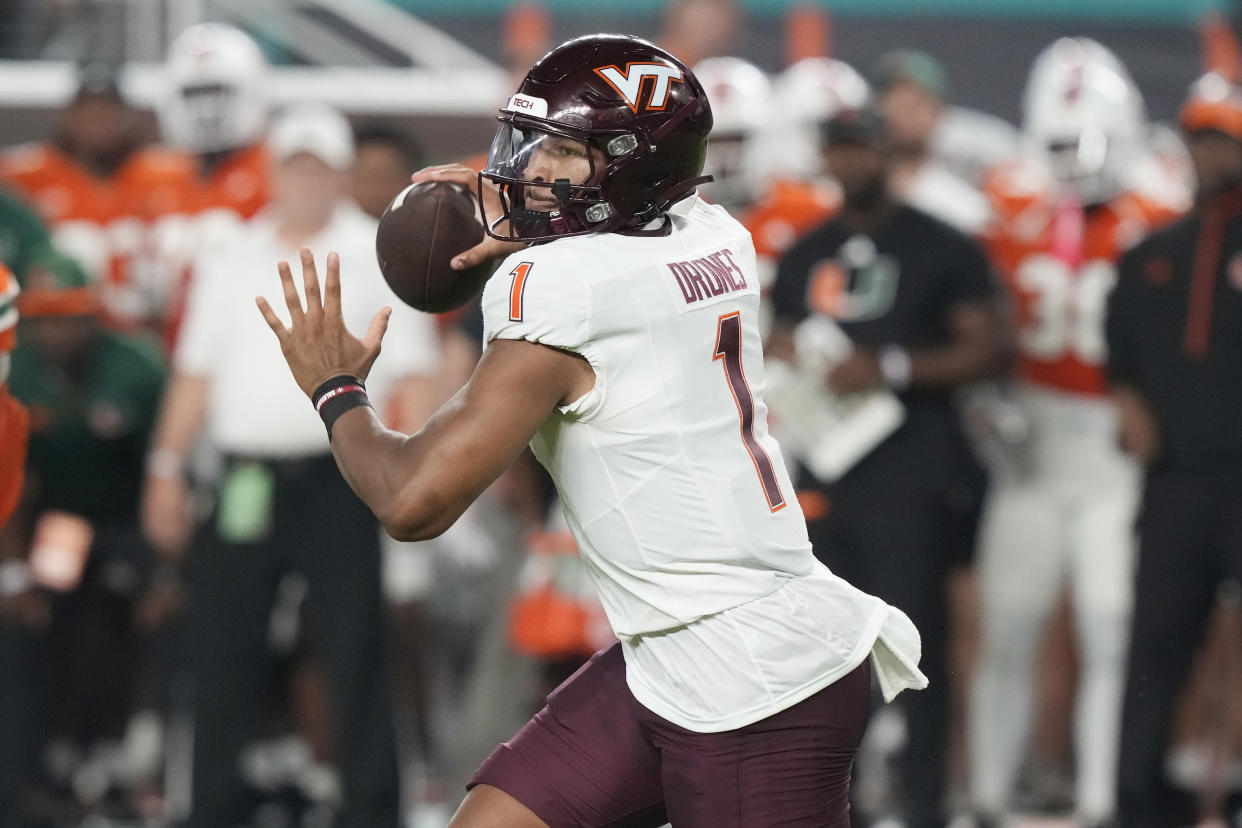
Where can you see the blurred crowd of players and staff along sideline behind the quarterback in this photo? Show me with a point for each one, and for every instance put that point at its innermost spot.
(1004, 361)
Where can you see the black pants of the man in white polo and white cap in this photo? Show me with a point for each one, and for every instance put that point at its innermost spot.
(321, 529)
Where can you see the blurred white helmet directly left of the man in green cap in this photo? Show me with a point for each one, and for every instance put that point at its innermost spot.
(807, 95)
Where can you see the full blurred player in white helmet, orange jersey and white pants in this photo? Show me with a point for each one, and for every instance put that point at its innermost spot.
(1066, 510)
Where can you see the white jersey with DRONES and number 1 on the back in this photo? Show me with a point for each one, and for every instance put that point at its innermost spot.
(675, 491)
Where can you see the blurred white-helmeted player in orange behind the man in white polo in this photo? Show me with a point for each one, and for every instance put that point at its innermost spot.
(213, 114)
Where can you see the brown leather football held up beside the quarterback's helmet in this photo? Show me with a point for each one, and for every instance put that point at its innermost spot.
(420, 233)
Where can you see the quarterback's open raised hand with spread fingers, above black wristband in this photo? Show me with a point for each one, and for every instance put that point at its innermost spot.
(317, 344)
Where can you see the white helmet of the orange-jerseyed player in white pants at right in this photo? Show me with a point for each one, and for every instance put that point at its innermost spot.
(1084, 114)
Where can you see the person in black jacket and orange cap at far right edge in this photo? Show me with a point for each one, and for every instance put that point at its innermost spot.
(1174, 341)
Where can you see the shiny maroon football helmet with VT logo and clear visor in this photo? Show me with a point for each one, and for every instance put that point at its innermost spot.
(630, 117)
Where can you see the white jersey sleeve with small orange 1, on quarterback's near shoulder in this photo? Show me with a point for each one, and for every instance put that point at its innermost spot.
(540, 297)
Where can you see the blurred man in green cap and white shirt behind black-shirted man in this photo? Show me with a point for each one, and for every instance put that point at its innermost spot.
(911, 90)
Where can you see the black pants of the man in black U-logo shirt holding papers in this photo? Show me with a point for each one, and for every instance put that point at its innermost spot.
(895, 528)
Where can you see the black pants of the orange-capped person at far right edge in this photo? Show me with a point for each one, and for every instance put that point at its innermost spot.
(1190, 541)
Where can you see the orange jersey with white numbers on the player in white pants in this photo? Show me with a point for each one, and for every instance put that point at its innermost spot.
(1059, 264)
